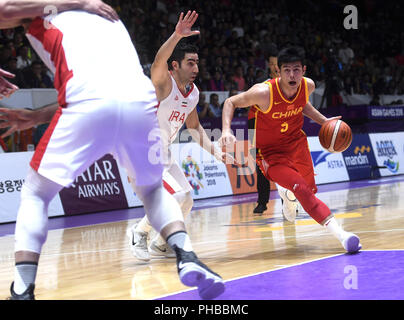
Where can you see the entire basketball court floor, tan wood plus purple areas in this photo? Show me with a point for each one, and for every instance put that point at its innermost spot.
(259, 257)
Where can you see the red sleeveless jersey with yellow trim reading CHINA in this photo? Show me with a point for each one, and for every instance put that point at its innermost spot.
(282, 123)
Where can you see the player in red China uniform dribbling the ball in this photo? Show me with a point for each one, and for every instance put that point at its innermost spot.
(283, 153)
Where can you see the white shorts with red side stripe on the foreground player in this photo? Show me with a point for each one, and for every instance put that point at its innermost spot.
(85, 131)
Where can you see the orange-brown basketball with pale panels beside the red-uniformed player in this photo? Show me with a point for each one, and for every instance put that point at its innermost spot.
(335, 135)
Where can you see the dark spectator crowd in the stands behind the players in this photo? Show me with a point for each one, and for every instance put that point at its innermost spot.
(238, 36)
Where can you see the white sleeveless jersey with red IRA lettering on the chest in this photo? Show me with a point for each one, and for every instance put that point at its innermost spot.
(174, 110)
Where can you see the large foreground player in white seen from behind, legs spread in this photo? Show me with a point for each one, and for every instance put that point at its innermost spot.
(90, 102)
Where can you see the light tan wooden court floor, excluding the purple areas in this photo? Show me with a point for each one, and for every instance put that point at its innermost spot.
(94, 262)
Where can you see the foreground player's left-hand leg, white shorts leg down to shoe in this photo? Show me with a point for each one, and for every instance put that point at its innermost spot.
(55, 164)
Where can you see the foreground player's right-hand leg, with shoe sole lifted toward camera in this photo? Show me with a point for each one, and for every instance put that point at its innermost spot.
(137, 150)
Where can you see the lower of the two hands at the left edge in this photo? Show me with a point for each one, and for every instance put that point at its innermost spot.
(16, 120)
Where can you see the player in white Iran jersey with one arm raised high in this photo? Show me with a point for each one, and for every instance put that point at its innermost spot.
(173, 72)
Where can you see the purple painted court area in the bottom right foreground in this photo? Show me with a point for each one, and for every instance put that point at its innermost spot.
(367, 275)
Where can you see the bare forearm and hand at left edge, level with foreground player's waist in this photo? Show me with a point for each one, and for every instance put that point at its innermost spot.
(23, 119)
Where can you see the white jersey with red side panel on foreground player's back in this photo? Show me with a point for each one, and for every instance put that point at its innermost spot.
(91, 57)
